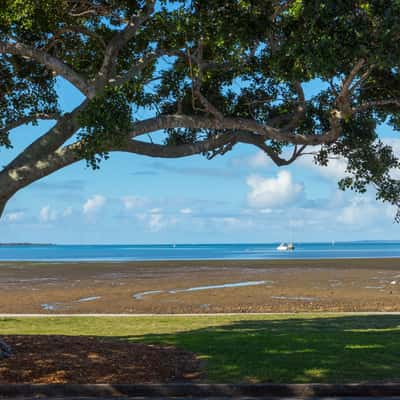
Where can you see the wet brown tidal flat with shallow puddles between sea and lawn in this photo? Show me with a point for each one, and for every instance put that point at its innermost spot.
(201, 286)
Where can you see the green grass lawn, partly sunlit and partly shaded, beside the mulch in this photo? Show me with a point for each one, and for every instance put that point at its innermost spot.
(280, 348)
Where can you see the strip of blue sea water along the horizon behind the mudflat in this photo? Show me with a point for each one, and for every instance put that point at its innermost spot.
(370, 249)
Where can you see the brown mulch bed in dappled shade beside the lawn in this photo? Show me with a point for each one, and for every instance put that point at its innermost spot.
(83, 359)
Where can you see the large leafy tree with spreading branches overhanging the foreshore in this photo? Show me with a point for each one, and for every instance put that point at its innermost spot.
(208, 75)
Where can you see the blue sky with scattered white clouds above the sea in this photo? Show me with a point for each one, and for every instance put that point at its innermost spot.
(240, 197)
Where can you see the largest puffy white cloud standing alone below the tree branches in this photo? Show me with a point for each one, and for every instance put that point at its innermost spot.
(272, 192)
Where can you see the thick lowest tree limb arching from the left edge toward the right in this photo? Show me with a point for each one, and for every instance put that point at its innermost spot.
(44, 156)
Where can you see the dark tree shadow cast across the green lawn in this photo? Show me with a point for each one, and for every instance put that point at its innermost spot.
(334, 349)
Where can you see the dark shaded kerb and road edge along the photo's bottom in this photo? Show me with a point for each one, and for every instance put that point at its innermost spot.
(201, 391)
